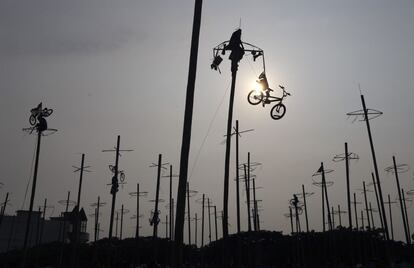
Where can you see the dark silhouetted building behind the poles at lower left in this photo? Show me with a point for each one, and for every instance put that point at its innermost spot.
(12, 229)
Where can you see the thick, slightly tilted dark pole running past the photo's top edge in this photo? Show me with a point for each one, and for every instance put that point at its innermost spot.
(185, 146)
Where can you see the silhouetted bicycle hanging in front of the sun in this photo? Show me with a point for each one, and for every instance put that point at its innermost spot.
(278, 111)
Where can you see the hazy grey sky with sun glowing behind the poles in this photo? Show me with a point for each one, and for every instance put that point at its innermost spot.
(111, 68)
